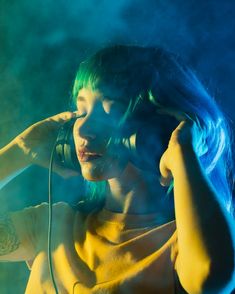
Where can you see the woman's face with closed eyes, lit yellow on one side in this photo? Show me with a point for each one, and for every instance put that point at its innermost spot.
(98, 122)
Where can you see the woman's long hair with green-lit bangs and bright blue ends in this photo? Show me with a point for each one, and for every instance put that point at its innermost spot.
(164, 82)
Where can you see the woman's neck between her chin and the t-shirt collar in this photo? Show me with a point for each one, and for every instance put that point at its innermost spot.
(135, 192)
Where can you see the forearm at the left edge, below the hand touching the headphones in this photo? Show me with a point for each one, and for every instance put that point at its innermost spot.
(12, 161)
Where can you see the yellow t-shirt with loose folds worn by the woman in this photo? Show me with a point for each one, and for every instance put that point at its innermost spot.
(100, 252)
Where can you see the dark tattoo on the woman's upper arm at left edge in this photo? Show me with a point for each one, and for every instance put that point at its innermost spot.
(9, 241)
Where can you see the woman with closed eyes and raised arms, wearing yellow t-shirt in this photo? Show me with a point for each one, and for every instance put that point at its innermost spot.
(126, 236)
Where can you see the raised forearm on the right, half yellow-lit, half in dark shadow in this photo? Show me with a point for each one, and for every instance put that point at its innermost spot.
(203, 225)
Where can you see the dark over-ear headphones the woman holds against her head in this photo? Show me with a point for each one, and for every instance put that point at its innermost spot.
(144, 143)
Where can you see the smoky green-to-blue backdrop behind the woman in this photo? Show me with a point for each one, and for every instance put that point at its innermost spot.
(42, 44)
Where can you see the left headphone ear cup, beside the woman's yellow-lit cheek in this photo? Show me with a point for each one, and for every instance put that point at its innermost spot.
(65, 147)
